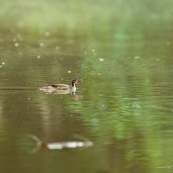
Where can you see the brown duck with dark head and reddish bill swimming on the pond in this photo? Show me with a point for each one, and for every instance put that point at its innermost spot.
(61, 88)
